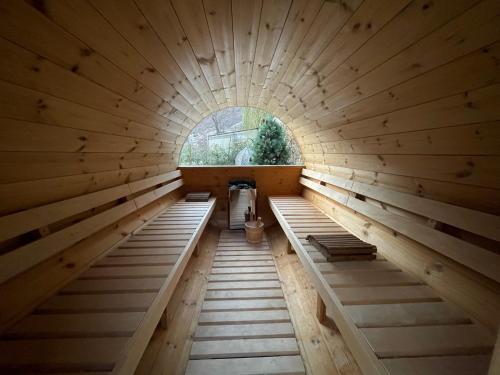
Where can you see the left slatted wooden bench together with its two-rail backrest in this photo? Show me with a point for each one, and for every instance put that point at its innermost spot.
(103, 320)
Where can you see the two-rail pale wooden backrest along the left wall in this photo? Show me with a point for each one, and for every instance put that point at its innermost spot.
(115, 203)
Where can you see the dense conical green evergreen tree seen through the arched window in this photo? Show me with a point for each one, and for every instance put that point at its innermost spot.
(270, 147)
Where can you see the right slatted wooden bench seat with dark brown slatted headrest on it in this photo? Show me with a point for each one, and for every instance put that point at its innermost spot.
(392, 322)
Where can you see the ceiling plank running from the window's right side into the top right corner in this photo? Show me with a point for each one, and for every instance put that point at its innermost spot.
(474, 34)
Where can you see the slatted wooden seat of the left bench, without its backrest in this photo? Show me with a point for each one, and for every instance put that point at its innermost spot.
(90, 324)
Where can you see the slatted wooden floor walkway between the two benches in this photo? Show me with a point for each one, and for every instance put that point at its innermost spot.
(244, 326)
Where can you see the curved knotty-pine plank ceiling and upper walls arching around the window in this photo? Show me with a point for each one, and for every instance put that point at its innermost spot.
(399, 93)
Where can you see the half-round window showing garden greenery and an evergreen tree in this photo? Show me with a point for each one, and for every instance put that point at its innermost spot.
(240, 136)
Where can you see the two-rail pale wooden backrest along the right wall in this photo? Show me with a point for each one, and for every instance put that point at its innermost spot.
(374, 201)
